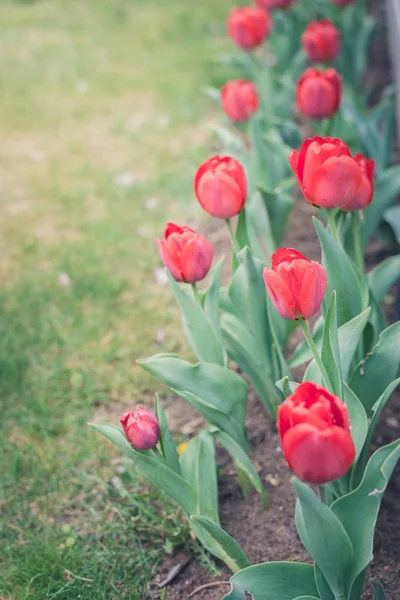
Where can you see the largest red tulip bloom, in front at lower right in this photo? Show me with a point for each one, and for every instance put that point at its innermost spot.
(315, 434)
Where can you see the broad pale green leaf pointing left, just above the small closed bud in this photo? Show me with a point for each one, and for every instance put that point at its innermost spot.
(216, 385)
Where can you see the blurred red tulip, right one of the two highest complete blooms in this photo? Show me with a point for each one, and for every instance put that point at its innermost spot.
(321, 41)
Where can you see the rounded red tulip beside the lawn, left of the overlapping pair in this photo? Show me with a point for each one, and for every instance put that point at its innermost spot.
(220, 187)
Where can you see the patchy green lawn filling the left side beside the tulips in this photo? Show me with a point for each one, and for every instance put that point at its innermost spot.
(103, 124)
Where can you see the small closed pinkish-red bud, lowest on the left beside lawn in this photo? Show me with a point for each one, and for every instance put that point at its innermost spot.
(141, 428)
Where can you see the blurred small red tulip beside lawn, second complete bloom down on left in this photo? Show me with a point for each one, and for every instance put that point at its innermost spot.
(239, 100)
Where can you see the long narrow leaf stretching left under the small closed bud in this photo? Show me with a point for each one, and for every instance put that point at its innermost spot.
(156, 472)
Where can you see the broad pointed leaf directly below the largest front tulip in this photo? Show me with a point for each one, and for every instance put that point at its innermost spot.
(326, 541)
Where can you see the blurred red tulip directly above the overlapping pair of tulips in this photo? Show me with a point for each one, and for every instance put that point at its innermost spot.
(318, 93)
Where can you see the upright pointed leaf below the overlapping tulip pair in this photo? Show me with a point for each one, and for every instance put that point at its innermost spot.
(351, 290)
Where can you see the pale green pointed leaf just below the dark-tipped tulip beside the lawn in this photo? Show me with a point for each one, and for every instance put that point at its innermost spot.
(199, 331)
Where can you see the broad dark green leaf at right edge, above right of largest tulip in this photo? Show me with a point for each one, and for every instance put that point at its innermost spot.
(380, 366)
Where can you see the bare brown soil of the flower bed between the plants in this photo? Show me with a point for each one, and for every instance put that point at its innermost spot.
(271, 534)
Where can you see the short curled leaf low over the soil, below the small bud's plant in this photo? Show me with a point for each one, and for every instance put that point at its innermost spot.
(228, 549)
